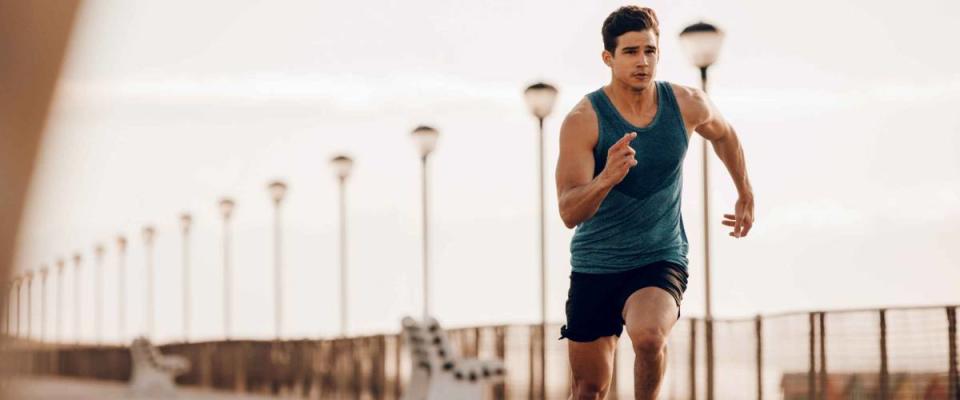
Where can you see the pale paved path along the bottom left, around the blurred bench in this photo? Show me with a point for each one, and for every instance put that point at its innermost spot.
(50, 388)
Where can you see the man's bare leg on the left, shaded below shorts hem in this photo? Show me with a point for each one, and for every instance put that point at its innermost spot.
(592, 366)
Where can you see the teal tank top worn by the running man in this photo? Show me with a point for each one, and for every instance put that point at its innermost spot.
(639, 221)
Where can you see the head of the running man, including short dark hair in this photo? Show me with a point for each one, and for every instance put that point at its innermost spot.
(631, 42)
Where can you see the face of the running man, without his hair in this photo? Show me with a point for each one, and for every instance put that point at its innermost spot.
(635, 61)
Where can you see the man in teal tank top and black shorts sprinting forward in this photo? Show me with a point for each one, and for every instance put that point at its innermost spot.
(619, 179)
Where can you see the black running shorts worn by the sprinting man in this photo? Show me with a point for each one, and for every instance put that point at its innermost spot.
(595, 301)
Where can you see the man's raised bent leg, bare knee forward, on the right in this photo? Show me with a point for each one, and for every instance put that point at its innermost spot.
(650, 314)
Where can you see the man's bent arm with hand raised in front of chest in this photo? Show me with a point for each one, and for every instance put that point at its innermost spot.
(579, 192)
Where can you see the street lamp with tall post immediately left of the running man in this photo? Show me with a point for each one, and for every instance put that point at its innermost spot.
(540, 98)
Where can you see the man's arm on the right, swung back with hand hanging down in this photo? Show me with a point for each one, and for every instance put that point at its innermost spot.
(713, 127)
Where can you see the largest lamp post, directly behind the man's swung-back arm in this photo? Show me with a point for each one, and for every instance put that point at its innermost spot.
(702, 42)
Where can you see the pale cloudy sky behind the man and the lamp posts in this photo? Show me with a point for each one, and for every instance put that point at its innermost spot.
(846, 112)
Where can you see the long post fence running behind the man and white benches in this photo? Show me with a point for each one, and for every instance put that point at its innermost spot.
(903, 353)
